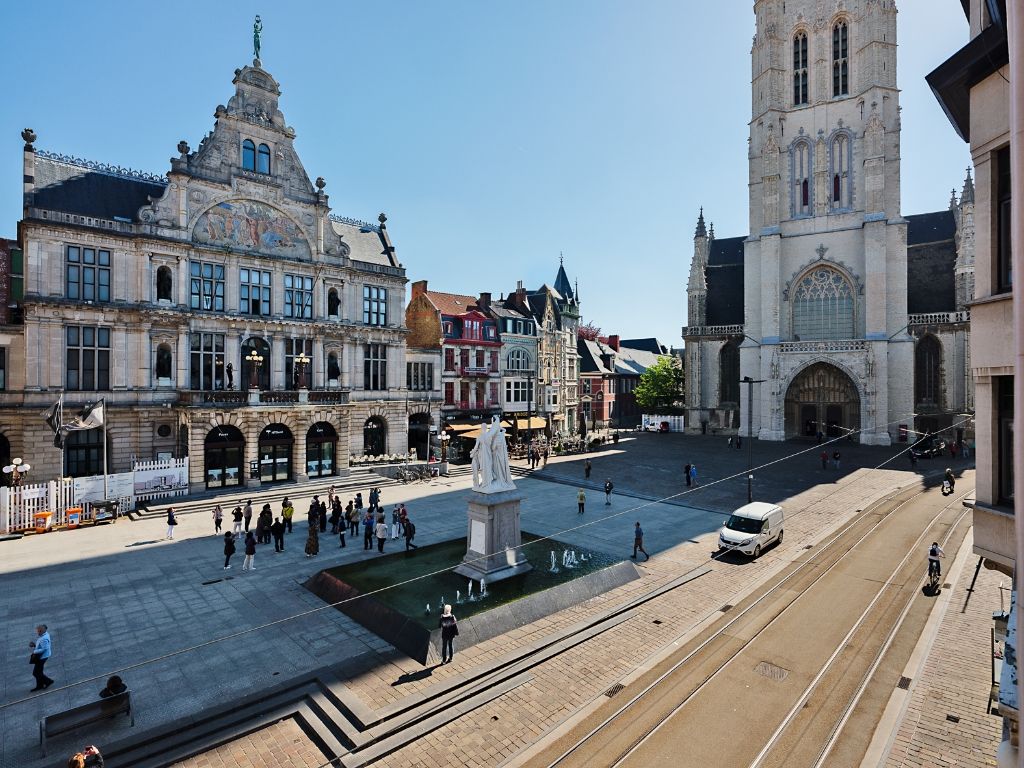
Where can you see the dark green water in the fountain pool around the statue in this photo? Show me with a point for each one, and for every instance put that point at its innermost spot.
(430, 577)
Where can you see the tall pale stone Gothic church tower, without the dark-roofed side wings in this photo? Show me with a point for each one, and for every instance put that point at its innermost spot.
(826, 261)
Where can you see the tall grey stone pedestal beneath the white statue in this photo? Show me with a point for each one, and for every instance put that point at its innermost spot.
(493, 541)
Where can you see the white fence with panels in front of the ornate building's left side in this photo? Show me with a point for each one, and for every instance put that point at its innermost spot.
(147, 482)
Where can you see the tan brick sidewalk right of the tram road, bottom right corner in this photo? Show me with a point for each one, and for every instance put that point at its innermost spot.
(955, 682)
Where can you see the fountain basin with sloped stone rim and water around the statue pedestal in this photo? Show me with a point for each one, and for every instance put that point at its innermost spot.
(367, 593)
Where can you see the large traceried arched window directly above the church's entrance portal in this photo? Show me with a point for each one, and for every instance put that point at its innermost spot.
(823, 306)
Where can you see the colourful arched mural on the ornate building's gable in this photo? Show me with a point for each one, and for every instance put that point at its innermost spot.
(253, 227)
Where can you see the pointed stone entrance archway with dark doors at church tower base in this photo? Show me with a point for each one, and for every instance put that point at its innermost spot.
(822, 398)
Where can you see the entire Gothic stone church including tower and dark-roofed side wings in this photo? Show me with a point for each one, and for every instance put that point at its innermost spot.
(842, 296)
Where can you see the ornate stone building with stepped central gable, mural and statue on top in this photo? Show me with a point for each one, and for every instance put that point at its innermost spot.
(221, 310)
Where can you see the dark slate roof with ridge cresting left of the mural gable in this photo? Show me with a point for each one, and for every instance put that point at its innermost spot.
(72, 188)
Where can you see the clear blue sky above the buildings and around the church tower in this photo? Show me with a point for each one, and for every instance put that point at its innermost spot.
(494, 135)
